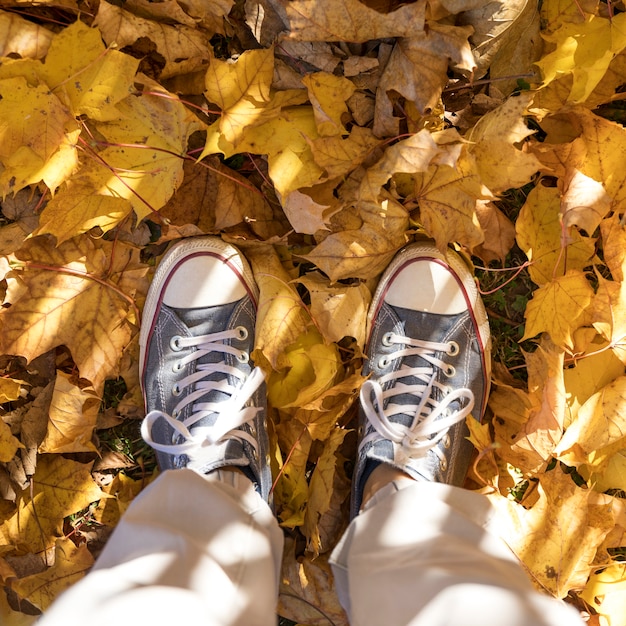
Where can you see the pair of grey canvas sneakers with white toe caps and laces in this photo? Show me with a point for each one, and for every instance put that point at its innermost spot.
(427, 365)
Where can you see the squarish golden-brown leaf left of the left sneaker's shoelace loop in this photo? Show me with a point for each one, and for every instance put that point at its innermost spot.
(72, 418)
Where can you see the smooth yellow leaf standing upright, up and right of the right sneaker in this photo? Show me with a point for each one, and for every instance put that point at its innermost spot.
(551, 247)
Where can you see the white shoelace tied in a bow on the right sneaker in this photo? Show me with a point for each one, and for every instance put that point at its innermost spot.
(431, 418)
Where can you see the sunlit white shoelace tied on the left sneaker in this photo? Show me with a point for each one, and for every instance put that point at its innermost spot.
(231, 413)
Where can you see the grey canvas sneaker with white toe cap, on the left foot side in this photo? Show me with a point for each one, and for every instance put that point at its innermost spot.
(205, 402)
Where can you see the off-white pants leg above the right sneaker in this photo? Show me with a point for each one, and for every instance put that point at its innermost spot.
(422, 554)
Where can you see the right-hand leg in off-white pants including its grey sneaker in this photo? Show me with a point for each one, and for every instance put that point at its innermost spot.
(422, 551)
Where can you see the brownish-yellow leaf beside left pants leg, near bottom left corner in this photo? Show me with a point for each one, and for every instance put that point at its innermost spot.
(71, 564)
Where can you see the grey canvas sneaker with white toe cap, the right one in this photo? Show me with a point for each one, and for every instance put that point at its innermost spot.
(428, 360)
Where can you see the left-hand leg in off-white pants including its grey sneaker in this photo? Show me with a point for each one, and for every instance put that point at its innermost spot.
(202, 541)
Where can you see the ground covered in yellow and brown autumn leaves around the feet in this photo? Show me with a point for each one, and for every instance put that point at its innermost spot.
(320, 137)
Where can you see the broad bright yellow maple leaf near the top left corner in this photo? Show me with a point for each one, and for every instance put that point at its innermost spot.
(89, 78)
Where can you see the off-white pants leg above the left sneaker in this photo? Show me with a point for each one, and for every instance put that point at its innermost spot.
(189, 550)
